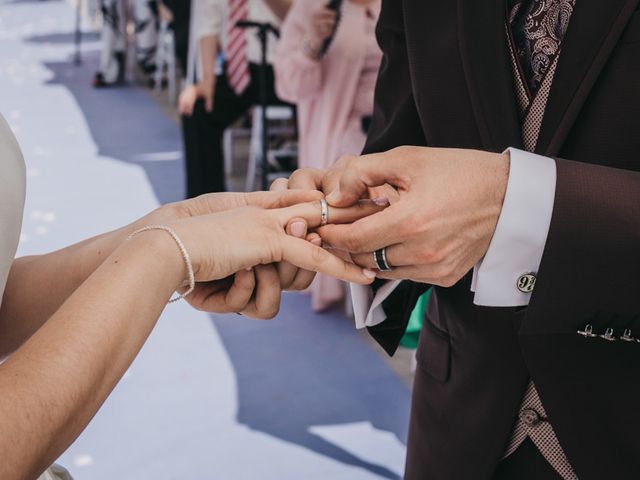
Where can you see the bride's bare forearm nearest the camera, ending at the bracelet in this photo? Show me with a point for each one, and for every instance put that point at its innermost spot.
(55, 382)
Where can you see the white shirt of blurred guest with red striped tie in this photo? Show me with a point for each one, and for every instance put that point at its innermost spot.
(209, 17)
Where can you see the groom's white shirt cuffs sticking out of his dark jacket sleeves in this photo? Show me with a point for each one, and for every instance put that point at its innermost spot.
(515, 249)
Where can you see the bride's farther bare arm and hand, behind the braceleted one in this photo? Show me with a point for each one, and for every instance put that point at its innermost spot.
(38, 285)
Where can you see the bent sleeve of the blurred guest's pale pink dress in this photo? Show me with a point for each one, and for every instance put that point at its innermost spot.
(298, 77)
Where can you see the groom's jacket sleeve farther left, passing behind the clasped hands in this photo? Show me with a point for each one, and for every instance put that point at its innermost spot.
(395, 122)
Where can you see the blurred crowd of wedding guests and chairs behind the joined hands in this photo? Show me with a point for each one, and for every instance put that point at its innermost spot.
(294, 79)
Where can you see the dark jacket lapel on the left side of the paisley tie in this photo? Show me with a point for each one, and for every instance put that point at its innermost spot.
(486, 63)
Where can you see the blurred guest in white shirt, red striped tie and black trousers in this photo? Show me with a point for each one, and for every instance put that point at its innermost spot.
(213, 100)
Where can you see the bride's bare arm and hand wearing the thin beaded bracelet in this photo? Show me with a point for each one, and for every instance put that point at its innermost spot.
(55, 382)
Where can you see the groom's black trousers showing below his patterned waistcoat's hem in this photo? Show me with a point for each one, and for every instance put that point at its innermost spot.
(526, 463)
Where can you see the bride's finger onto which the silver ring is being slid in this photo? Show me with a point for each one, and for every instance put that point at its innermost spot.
(311, 212)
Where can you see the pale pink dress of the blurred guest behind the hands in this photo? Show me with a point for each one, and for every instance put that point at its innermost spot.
(332, 94)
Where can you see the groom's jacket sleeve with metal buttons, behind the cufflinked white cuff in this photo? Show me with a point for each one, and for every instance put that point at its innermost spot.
(590, 266)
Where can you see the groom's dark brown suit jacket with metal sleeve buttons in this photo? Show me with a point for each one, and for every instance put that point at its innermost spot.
(446, 81)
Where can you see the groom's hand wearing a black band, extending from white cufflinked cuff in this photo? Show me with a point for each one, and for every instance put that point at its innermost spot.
(441, 225)
